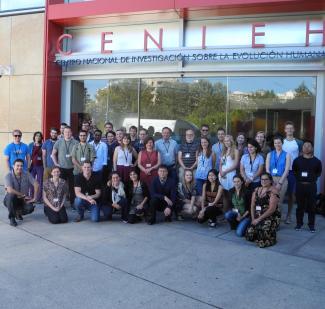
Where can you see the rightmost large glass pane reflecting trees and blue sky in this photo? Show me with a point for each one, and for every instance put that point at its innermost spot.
(266, 103)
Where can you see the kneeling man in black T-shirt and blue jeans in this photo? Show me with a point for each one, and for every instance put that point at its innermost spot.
(88, 191)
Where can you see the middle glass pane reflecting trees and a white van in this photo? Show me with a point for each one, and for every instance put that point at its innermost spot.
(181, 104)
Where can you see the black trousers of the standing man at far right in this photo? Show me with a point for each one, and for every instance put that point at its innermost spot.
(306, 201)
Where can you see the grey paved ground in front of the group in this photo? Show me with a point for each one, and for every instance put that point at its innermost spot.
(168, 265)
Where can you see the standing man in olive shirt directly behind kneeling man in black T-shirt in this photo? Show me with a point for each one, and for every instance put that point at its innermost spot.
(82, 152)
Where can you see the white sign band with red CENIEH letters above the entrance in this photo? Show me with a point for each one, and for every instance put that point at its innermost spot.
(209, 41)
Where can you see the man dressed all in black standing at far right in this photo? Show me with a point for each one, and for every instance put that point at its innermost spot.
(307, 168)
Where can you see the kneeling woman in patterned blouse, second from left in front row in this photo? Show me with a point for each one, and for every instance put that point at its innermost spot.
(55, 191)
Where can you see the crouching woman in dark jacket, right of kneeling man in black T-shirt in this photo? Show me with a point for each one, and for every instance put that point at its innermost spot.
(114, 197)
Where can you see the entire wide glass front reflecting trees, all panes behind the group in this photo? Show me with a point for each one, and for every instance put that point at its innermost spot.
(248, 104)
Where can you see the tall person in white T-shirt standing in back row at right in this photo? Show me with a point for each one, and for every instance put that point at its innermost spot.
(293, 147)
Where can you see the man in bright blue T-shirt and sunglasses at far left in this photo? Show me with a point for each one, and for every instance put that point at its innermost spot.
(16, 150)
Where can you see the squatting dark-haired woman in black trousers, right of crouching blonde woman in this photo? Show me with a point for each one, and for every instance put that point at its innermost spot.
(211, 198)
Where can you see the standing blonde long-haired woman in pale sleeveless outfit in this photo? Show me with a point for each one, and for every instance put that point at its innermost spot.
(227, 169)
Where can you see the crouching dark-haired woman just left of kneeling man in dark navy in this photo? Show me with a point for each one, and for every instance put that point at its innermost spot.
(138, 197)
